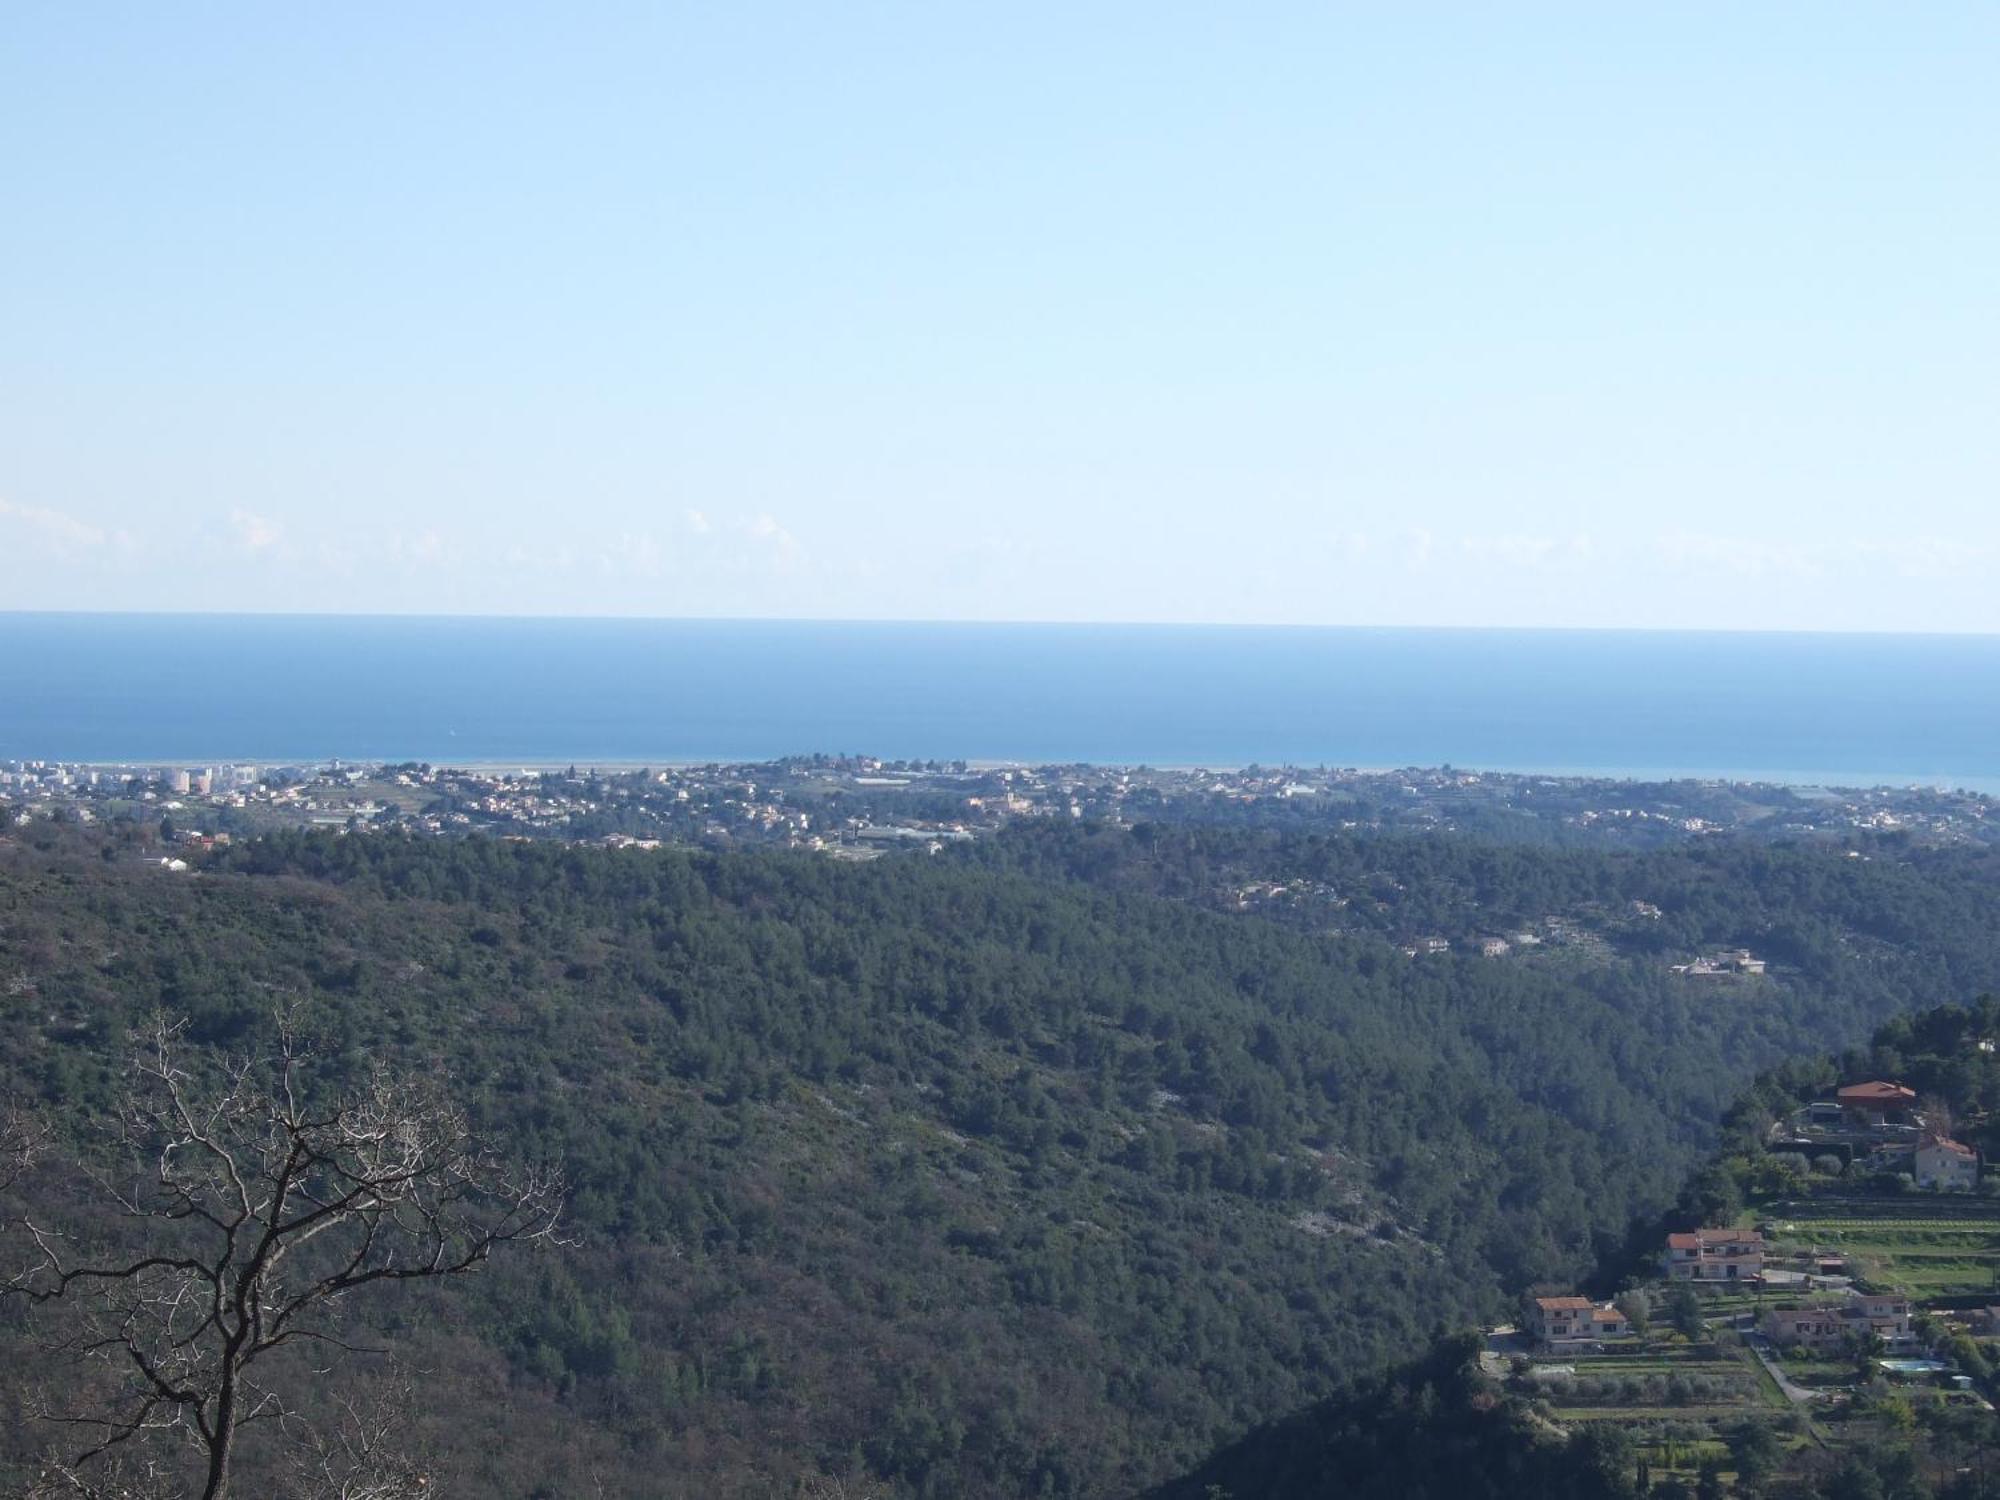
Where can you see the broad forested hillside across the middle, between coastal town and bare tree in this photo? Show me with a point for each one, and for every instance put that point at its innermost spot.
(1013, 1171)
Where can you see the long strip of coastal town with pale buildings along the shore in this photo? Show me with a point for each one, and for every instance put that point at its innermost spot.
(861, 807)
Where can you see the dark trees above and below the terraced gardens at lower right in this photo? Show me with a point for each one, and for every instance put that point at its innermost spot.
(1439, 1427)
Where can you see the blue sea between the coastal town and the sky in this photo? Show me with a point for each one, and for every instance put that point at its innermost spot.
(203, 689)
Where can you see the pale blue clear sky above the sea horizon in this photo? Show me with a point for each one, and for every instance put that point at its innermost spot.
(1349, 315)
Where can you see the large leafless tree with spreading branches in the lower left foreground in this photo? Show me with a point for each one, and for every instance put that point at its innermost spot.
(261, 1209)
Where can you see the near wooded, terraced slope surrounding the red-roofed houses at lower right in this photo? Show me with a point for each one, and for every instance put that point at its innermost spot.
(1441, 1427)
